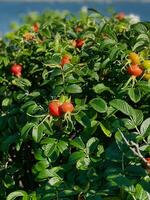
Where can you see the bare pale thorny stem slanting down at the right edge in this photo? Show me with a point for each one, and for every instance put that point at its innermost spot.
(134, 149)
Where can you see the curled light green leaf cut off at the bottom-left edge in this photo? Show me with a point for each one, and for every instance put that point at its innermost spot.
(19, 193)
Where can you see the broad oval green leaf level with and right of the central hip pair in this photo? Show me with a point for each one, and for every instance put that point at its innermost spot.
(99, 105)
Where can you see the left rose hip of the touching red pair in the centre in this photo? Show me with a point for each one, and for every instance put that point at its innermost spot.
(54, 108)
